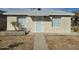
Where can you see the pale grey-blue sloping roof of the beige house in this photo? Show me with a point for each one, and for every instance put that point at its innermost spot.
(42, 12)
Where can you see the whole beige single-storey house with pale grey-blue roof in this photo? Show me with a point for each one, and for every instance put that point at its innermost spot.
(38, 20)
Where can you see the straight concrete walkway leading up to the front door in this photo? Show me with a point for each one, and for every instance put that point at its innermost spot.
(40, 42)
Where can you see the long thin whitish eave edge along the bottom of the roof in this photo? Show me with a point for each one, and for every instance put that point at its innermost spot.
(72, 14)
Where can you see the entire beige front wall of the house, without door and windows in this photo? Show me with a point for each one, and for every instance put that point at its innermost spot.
(64, 28)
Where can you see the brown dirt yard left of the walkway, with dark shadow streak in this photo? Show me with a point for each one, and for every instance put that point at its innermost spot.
(16, 42)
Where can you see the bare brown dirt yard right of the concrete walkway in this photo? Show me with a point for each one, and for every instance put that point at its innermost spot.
(62, 42)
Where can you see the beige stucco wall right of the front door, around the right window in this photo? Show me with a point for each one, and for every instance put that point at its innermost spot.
(65, 26)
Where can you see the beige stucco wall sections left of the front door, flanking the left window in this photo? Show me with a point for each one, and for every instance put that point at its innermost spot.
(30, 23)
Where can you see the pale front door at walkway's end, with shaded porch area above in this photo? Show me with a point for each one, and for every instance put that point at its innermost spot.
(39, 24)
